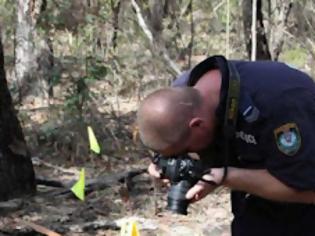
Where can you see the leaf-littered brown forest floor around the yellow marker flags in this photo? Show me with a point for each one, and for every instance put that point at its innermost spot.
(60, 151)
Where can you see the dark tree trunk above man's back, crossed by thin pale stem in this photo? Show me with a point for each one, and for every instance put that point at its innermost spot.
(263, 52)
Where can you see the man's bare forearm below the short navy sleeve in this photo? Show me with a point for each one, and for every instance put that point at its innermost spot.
(263, 184)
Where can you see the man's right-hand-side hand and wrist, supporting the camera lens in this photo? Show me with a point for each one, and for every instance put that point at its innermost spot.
(202, 189)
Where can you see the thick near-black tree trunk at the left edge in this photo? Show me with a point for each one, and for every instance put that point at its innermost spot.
(16, 169)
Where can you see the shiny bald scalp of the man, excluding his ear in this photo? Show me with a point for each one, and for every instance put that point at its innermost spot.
(164, 116)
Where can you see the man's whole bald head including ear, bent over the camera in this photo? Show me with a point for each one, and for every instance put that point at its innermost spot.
(169, 120)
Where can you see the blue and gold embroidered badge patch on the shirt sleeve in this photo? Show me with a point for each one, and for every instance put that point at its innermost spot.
(288, 138)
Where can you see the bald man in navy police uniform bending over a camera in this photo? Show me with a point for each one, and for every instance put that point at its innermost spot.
(272, 157)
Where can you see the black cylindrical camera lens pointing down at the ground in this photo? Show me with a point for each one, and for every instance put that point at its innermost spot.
(176, 200)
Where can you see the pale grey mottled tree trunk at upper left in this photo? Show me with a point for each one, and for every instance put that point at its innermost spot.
(34, 54)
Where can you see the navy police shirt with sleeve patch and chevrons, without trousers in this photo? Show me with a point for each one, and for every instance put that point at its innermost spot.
(276, 123)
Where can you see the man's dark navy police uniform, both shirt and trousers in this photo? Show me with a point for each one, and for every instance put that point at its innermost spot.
(275, 131)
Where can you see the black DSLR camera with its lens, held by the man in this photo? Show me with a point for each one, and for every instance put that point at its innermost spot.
(183, 172)
